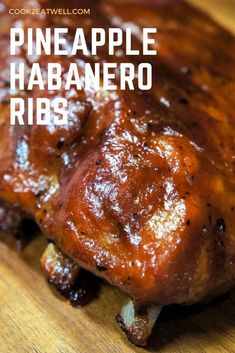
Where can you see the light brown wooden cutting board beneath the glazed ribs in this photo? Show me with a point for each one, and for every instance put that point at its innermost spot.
(34, 319)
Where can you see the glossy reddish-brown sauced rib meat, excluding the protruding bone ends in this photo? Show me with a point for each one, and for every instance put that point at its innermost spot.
(139, 187)
